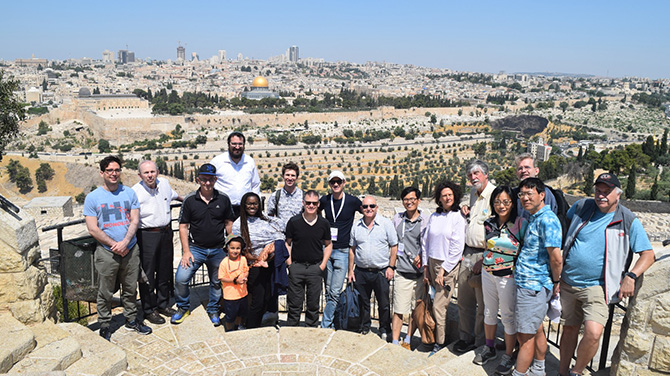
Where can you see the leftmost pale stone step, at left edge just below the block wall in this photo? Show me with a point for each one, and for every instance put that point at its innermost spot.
(21, 343)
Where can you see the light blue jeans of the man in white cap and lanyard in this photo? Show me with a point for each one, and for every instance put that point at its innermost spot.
(336, 271)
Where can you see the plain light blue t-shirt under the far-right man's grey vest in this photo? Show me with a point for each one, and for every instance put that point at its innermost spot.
(585, 264)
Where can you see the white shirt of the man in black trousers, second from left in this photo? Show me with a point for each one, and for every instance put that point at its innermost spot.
(155, 203)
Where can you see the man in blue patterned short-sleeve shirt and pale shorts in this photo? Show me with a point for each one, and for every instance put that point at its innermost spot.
(536, 274)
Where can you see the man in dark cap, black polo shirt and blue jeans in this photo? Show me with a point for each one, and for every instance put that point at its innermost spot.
(206, 218)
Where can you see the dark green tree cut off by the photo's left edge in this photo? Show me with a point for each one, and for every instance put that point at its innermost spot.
(12, 111)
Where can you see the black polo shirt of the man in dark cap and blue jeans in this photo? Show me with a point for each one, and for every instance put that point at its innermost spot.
(207, 222)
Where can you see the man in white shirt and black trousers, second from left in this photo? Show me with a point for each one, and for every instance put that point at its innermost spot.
(155, 240)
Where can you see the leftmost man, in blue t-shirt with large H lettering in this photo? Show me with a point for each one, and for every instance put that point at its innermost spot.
(112, 214)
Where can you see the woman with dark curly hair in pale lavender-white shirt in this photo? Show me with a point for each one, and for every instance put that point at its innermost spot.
(441, 250)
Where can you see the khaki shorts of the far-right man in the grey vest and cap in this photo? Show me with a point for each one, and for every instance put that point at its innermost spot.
(581, 304)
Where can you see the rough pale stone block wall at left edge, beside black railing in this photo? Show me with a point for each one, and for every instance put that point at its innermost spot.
(24, 290)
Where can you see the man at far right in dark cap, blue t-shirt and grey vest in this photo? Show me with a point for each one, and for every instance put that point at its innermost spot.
(597, 256)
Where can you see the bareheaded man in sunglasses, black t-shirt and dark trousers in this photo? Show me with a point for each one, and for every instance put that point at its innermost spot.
(308, 236)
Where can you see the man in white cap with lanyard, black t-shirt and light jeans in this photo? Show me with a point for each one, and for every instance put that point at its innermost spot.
(339, 209)
